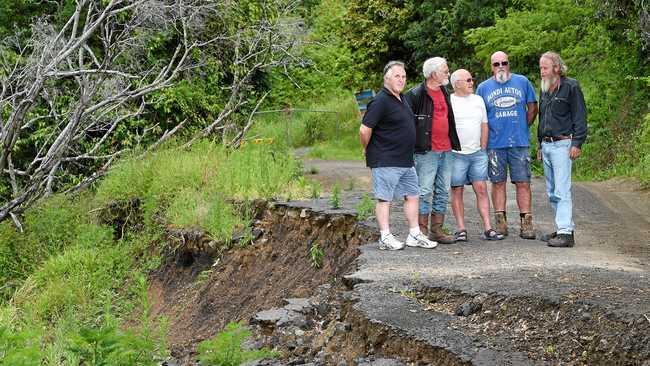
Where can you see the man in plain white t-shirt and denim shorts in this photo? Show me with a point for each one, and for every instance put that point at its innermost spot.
(471, 162)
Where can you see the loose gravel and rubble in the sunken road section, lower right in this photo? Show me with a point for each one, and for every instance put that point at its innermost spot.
(568, 331)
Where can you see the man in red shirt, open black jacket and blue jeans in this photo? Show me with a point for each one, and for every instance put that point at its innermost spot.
(436, 136)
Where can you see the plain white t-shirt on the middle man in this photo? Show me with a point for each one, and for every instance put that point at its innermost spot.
(469, 113)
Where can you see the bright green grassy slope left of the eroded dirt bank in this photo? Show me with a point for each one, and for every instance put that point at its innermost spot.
(69, 286)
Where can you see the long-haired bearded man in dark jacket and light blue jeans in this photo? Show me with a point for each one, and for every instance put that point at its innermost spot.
(561, 132)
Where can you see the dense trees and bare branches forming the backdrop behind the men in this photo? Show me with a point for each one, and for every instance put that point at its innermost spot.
(85, 82)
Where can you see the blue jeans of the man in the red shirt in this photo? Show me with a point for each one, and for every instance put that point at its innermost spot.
(434, 177)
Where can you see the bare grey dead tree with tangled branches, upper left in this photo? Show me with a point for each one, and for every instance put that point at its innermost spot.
(98, 55)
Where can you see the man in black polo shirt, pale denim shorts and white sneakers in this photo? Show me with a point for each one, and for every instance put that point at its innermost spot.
(387, 135)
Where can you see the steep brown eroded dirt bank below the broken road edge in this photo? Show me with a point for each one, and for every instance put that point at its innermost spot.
(200, 290)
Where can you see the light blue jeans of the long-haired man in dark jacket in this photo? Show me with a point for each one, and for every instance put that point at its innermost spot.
(557, 170)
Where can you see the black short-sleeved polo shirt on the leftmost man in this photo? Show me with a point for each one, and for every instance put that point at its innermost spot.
(392, 142)
